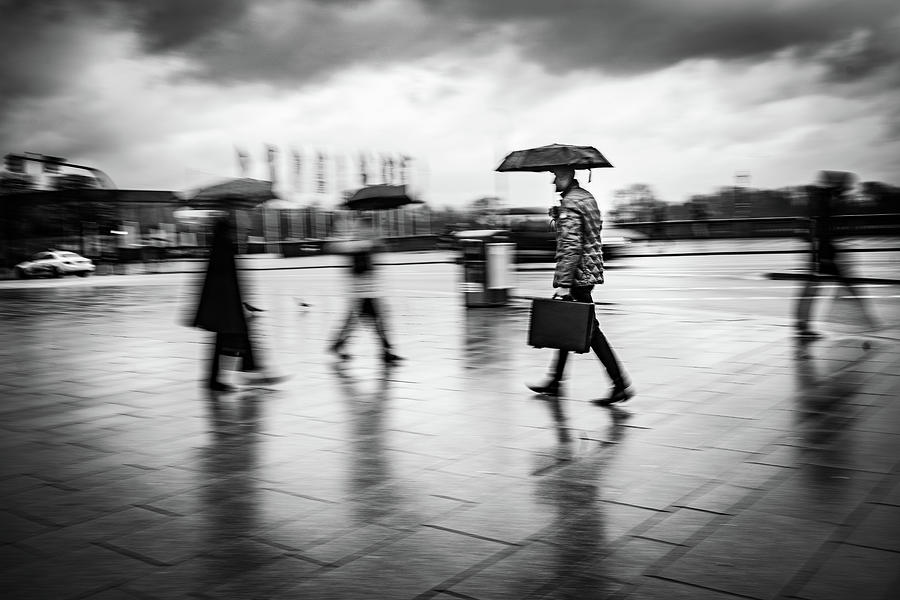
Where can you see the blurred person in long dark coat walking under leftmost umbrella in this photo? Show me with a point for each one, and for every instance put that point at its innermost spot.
(221, 309)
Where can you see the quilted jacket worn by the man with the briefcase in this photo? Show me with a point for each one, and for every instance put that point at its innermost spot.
(579, 251)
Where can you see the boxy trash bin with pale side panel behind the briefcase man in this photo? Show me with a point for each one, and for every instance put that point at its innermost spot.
(487, 258)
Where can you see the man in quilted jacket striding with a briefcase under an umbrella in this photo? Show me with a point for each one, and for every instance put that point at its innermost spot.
(579, 267)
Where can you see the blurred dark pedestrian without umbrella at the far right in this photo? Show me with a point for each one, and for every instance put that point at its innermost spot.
(823, 200)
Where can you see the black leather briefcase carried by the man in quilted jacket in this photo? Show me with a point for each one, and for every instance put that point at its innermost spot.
(561, 324)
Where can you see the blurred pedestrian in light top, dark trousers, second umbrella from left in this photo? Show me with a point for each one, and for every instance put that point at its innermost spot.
(365, 295)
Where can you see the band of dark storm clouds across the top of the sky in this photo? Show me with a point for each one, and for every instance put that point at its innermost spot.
(302, 41)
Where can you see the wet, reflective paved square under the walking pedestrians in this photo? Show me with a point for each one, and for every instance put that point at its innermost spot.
(748, 465)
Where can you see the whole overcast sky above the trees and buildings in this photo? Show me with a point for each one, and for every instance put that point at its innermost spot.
(682, 95)
